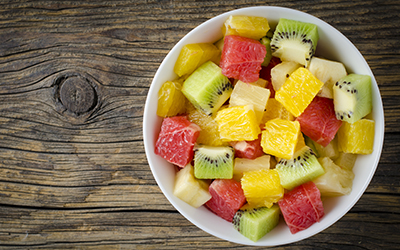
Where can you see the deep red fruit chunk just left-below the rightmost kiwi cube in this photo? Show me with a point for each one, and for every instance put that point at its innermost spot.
(318, 121)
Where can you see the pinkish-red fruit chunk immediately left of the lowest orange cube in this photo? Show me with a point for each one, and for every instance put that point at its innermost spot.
(227, 197)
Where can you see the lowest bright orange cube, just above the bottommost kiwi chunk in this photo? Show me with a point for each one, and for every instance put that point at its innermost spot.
(262, 188)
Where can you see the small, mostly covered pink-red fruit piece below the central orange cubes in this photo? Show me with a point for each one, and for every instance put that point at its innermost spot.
(248, 149)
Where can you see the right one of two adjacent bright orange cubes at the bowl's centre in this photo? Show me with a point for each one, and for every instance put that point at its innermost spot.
(280, 137)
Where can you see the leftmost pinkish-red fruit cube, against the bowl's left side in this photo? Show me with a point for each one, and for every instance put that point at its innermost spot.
(176, 140)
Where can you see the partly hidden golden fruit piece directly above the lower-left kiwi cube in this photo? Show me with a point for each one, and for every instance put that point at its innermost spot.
(209, 134)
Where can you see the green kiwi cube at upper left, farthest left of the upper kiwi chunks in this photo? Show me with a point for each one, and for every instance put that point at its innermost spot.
(207, 88)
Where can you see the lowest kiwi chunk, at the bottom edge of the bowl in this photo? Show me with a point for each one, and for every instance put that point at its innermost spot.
(254, 223)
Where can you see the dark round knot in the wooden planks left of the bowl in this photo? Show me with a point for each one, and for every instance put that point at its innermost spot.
(77, 95)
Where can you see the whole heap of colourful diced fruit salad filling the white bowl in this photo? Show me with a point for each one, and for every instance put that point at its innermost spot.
(259, 127)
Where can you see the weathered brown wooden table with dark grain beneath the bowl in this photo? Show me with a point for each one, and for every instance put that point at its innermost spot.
(73, 82)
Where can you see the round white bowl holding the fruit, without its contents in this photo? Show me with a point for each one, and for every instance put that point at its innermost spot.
(331, 45)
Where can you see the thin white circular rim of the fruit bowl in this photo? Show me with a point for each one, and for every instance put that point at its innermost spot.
(378, 144)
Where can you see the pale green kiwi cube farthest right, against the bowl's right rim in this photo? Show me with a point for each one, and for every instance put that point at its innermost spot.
(352, 97)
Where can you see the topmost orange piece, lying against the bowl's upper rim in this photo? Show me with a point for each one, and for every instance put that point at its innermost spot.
(247, 26)
